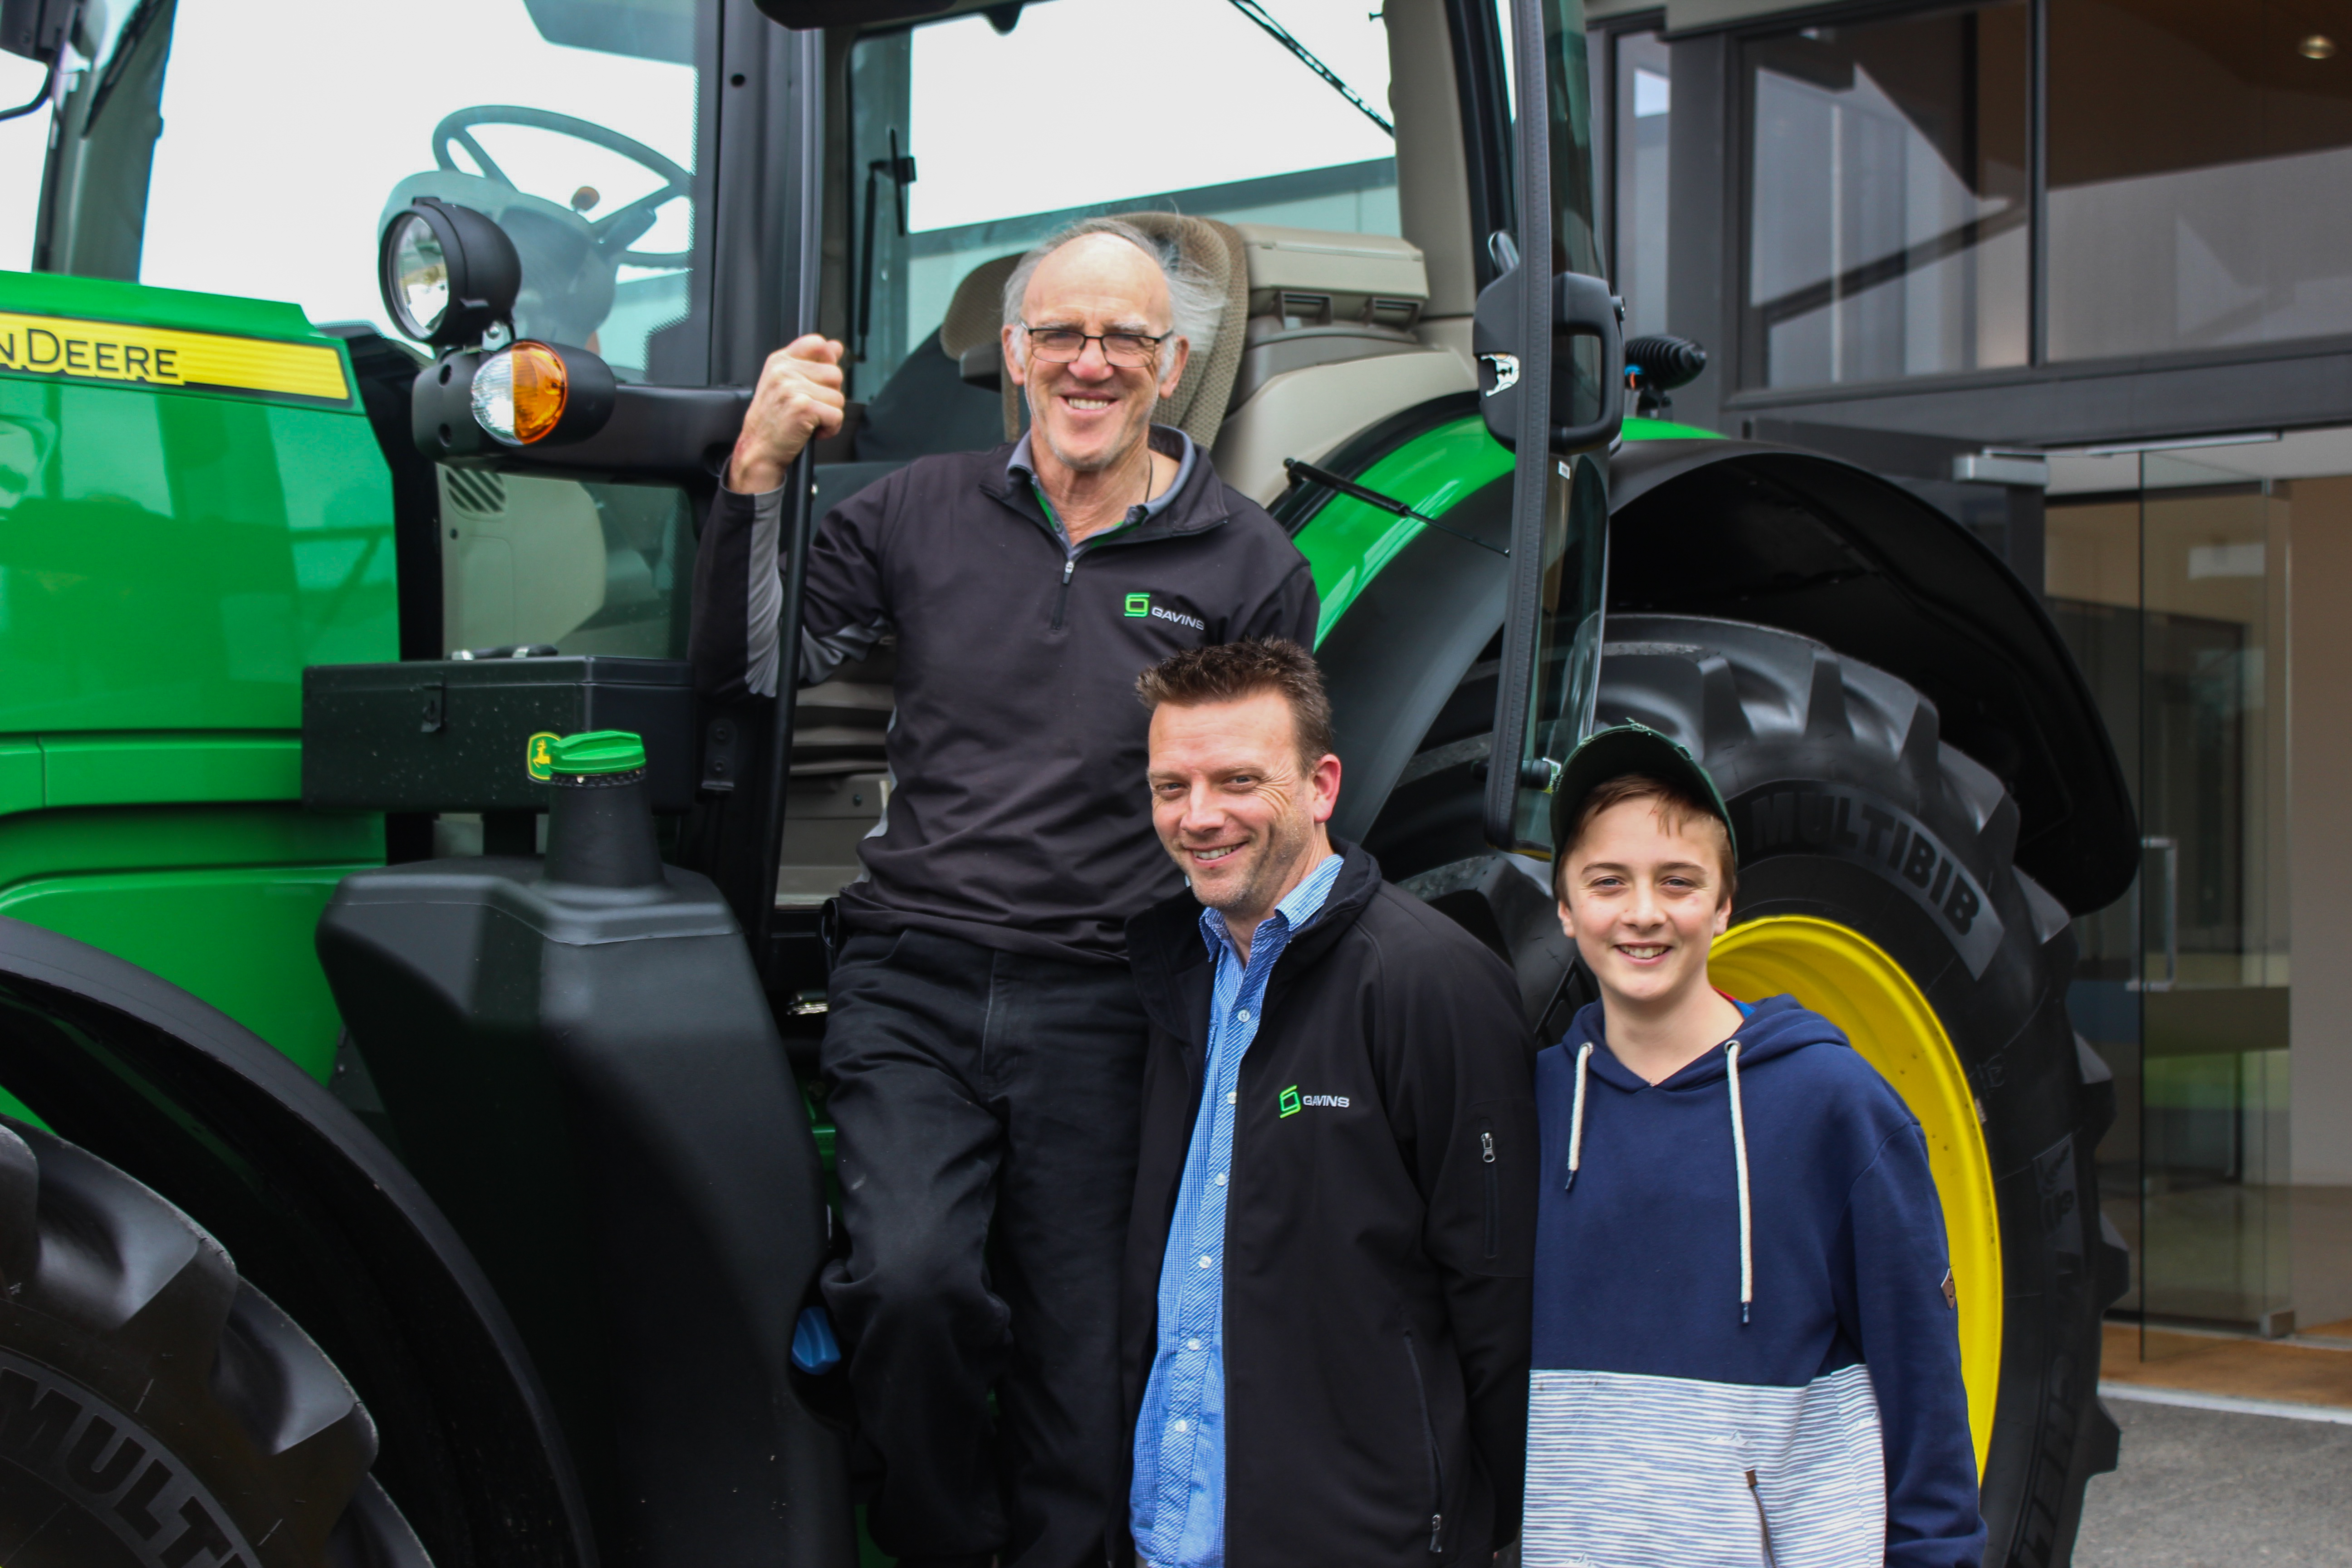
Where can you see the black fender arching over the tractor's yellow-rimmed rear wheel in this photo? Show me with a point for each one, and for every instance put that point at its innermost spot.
(1824, 549)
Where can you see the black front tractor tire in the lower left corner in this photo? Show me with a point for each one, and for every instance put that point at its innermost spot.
(156, 1412)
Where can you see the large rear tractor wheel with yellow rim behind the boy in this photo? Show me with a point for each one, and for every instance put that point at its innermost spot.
(1878, 887)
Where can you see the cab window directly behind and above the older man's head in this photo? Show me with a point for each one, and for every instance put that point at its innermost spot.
(980, 135)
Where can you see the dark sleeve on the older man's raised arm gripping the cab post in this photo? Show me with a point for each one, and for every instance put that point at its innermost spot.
(740, 594)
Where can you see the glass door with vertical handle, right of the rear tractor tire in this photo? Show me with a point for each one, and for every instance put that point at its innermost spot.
(2214, 934)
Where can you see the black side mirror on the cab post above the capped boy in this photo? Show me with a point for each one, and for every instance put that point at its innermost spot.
(1589, 361)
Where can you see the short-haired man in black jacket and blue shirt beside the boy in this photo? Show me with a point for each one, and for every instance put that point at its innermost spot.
(1328, 1280)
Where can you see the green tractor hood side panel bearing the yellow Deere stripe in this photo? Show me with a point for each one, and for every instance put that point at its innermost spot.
(192, 511)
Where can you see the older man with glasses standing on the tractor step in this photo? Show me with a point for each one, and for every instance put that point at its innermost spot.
(984, 1043)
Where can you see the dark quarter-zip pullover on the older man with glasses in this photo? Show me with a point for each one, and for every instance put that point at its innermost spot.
(1017, 817)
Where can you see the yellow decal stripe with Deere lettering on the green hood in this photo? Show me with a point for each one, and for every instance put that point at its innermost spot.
(161, 356)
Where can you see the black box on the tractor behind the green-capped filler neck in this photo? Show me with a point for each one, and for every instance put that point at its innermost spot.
(453, 735)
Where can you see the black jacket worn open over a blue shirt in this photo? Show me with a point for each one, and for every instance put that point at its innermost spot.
(1379, 1233)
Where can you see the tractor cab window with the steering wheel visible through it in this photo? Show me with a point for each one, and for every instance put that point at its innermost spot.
(568, 121)
